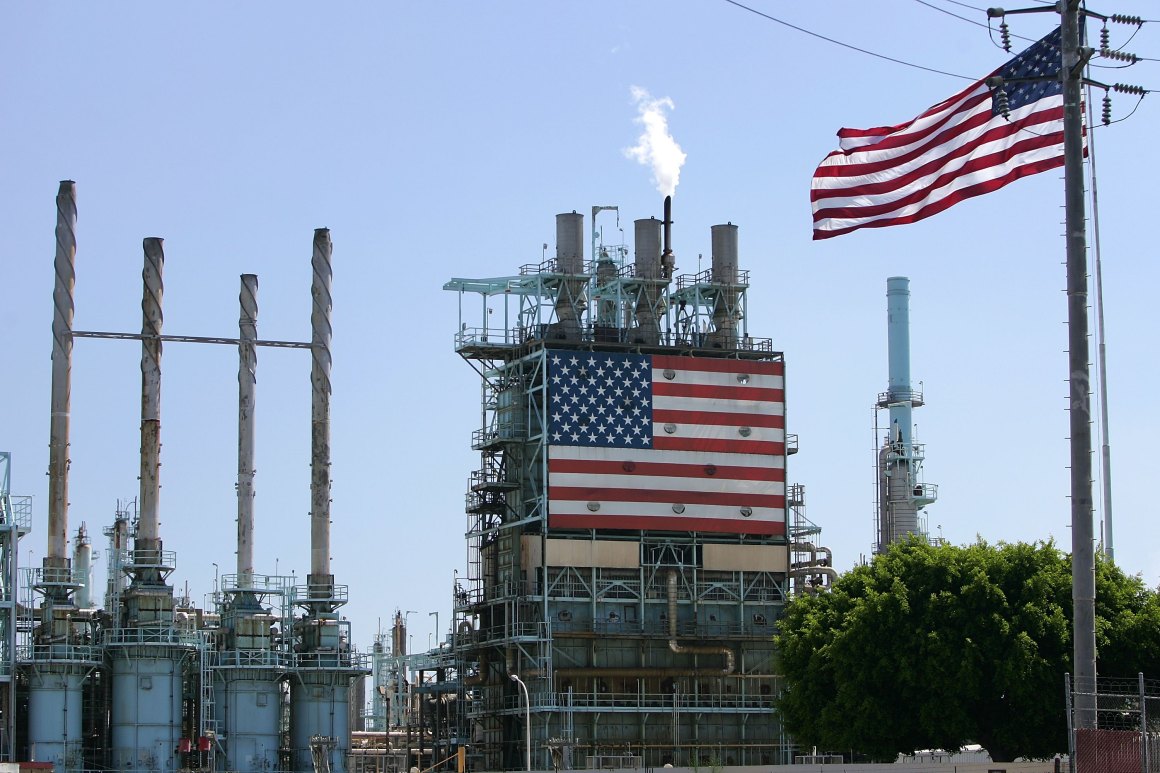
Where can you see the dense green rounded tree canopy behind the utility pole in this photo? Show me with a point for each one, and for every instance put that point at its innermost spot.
(936, 647)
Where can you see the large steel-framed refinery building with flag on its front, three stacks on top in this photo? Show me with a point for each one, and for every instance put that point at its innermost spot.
(628, 541)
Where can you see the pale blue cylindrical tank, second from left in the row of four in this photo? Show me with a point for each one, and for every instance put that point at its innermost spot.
(146, 720)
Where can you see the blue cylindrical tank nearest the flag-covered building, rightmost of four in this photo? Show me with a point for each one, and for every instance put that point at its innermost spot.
(320, 705)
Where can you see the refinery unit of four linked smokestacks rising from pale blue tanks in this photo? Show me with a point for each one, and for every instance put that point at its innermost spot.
(266, 680)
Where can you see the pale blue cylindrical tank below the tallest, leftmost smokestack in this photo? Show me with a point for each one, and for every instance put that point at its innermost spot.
(55, 728)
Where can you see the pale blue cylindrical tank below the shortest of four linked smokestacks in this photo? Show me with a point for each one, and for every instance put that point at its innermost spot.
(249, 709)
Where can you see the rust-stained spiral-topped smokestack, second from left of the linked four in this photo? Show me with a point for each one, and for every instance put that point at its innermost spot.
(148, 546)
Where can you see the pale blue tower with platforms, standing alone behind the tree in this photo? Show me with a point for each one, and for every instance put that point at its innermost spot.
(902, 493)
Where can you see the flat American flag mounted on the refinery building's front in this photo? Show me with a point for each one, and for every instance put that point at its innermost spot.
(684, 444)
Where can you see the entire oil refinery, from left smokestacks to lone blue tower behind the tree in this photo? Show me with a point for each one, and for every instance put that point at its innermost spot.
(633, 538)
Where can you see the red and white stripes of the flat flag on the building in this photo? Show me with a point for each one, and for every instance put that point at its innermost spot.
(719, 452)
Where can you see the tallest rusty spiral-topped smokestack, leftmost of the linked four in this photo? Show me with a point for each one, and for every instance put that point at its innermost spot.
(56, 561)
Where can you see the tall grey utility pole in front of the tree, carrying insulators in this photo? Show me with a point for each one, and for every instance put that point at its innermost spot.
(1081, 411)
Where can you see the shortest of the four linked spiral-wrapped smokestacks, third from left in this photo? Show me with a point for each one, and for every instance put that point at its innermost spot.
(248, 380)
